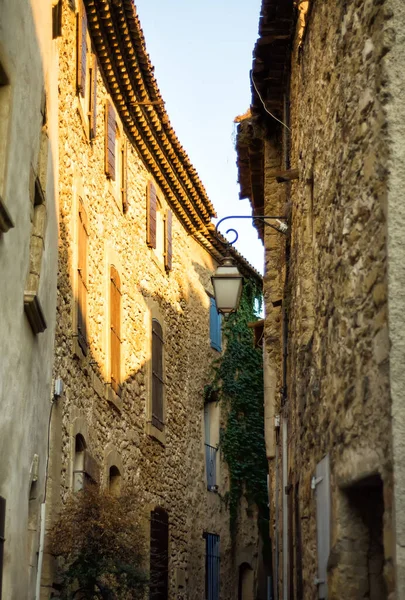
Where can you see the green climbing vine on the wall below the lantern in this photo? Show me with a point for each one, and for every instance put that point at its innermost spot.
(238, 382)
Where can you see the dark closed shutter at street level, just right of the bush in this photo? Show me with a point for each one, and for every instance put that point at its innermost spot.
(159, 554)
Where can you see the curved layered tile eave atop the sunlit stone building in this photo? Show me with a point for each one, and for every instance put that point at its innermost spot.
(120, 48)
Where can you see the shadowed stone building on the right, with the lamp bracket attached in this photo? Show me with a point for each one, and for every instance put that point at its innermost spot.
(323, 149)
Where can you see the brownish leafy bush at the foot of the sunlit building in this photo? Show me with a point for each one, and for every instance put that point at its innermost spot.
(100, 542)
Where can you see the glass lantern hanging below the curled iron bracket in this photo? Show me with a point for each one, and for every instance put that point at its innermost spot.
(227, 283)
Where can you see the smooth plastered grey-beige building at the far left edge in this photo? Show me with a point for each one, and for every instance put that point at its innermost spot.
(28, 272)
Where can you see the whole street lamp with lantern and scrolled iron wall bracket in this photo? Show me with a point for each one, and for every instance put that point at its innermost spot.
(227, 281)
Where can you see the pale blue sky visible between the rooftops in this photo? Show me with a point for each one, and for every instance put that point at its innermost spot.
(202, 54)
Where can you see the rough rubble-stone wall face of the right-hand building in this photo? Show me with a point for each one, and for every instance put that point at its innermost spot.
(338, 400)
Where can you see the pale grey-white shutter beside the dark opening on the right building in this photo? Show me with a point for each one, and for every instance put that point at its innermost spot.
(321, 483)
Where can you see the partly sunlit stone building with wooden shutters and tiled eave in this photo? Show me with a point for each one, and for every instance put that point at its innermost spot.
(137, 330)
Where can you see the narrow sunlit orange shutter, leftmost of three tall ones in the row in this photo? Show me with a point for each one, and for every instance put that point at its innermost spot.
(82, 280)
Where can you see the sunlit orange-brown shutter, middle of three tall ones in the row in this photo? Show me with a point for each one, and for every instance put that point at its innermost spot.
(115, 326)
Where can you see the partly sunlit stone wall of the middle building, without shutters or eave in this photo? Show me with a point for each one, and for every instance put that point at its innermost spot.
(170, 471)
